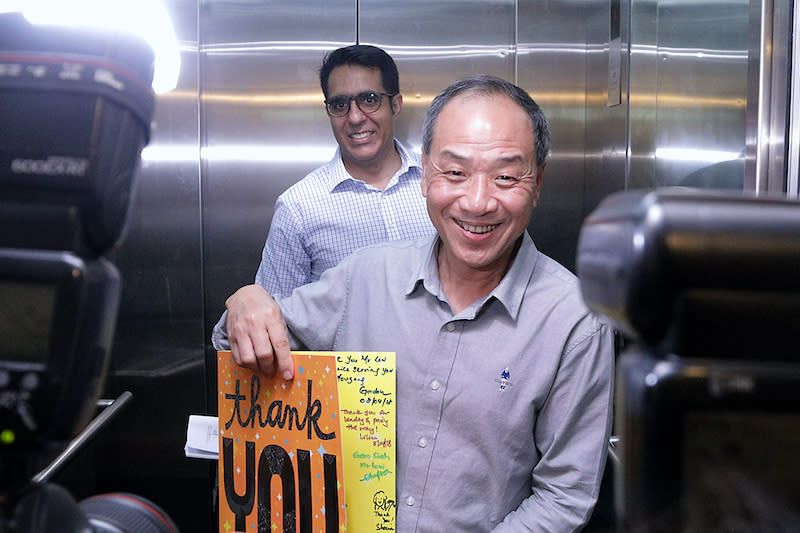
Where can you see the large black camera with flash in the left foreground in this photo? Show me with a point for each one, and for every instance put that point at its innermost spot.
(75, 111)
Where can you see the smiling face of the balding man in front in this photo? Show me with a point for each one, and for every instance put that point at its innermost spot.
(481, 181)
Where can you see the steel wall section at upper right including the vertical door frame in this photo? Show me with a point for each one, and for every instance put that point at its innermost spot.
(708, 103)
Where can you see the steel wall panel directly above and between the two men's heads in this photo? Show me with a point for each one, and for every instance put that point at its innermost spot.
(437, 43)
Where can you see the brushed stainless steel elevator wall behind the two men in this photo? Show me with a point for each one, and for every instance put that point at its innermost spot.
(247, 121)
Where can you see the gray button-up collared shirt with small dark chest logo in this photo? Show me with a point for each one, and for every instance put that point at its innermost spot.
(503, 410)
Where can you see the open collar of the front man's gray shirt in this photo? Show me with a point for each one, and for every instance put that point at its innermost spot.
(509, 292)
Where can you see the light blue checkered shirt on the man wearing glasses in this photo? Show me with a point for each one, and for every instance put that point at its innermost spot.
(327, 215)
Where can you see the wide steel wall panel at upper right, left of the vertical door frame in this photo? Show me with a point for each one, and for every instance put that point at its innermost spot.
(689, 93)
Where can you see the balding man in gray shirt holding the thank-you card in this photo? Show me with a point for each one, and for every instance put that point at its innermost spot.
(504, 378)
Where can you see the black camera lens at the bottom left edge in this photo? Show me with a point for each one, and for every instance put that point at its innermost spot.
(126, 513)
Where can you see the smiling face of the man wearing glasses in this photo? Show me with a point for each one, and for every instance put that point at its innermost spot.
(363, 138)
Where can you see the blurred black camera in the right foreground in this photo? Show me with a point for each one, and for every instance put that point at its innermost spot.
(704, 287)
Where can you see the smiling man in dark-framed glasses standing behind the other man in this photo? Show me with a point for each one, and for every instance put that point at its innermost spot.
(368, 193)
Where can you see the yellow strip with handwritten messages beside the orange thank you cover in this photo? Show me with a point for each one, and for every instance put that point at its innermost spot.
(367, 386)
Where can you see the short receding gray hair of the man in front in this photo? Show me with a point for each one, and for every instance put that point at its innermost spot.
(490, 85)
